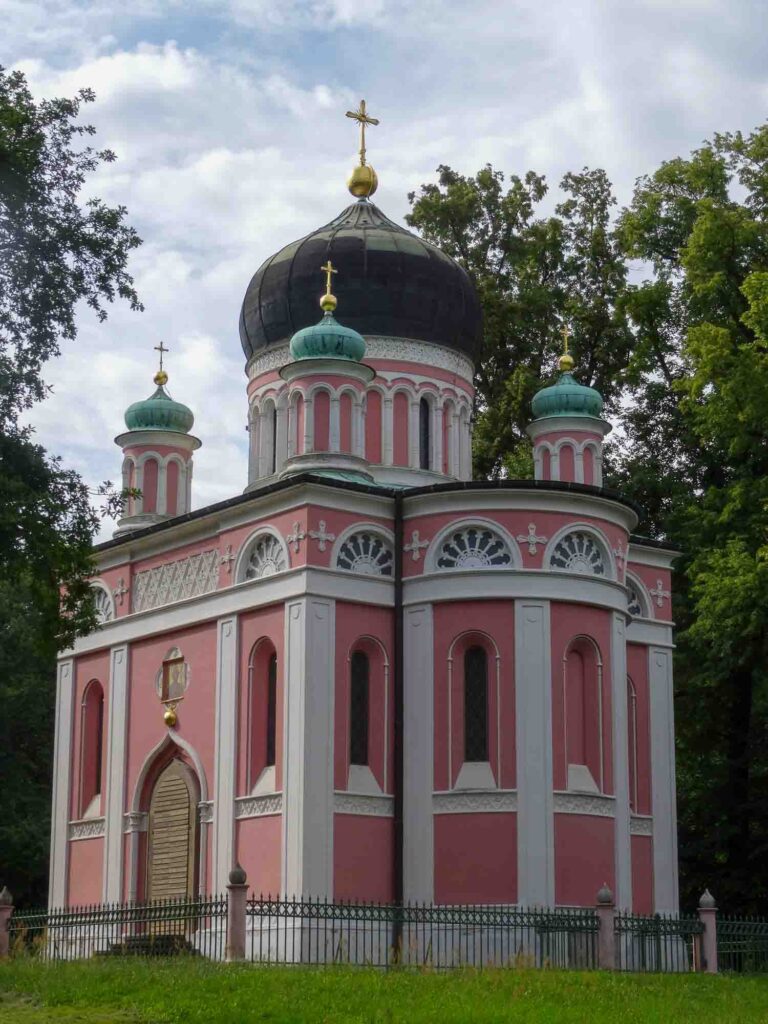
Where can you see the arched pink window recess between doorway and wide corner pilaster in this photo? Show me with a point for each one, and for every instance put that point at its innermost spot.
(263, 715)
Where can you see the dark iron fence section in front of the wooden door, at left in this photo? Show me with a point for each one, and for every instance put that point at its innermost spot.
(196, 927)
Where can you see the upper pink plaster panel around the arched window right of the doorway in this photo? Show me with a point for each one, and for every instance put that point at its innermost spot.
(265, 625)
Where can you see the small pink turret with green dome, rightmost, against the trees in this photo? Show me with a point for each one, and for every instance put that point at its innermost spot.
(568, 431)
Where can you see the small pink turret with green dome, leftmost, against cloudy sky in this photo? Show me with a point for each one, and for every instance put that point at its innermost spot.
(157, 457)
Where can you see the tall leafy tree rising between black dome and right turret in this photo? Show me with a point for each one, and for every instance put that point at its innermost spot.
(534, 275)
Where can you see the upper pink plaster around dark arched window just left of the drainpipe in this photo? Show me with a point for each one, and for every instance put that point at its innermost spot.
(369, 629)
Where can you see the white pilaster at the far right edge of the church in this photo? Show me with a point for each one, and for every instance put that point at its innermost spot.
(666, 899)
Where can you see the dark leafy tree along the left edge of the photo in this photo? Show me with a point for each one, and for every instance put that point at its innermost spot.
(56, 252)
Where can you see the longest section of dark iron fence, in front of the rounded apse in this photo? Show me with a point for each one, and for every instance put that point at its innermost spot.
(319, 931)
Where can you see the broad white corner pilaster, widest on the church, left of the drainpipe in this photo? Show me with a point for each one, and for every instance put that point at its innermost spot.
(309, 748)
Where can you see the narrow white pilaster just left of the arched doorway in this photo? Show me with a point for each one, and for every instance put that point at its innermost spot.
(115, 797)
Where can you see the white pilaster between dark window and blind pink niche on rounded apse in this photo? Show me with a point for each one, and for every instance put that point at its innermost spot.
(536, 855)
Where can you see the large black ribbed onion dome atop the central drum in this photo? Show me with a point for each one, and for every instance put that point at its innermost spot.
(391, 283)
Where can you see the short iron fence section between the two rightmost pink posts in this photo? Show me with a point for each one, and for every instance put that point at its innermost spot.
(661, 943)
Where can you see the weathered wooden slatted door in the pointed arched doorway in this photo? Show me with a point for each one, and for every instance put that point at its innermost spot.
(173, 850)
